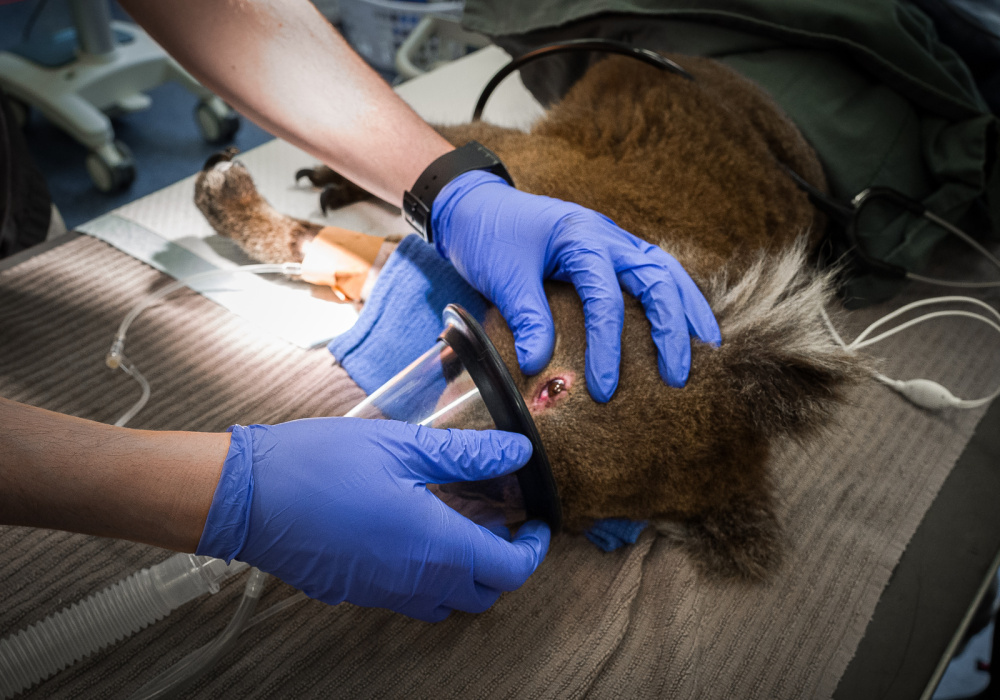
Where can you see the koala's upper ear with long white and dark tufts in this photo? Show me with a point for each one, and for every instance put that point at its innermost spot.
(782, 363)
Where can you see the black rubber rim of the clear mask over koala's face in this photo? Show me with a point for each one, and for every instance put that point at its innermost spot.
(507, 408)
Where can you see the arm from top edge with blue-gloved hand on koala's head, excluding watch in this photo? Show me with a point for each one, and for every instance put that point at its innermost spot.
(280, 63)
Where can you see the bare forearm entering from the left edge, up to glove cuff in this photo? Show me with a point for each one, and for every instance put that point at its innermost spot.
(67, 473)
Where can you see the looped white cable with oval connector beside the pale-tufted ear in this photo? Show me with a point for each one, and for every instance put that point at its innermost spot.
(922, 392)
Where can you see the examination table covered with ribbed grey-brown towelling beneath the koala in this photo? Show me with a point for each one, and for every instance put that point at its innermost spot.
(889, 542)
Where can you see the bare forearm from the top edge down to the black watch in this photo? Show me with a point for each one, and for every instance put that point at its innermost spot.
(283, 65)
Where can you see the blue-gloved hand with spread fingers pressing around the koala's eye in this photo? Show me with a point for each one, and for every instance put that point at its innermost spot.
(505, 242)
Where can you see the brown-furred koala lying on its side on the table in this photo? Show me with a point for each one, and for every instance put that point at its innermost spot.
(697, 168)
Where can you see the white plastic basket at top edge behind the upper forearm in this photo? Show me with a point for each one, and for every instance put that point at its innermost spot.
(377, 28)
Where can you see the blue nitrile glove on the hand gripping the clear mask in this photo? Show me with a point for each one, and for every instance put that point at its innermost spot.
(338, 507)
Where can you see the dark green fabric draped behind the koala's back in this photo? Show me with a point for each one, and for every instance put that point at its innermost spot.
(875, 92)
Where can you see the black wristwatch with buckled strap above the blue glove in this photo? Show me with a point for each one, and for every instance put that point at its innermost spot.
(418, 201)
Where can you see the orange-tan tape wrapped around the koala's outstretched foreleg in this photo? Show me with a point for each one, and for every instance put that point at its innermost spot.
(340, 259)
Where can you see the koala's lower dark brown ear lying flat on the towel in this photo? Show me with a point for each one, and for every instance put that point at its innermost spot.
(740, 540)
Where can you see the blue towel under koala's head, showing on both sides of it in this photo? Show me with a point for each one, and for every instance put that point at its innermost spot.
(401, 319)
